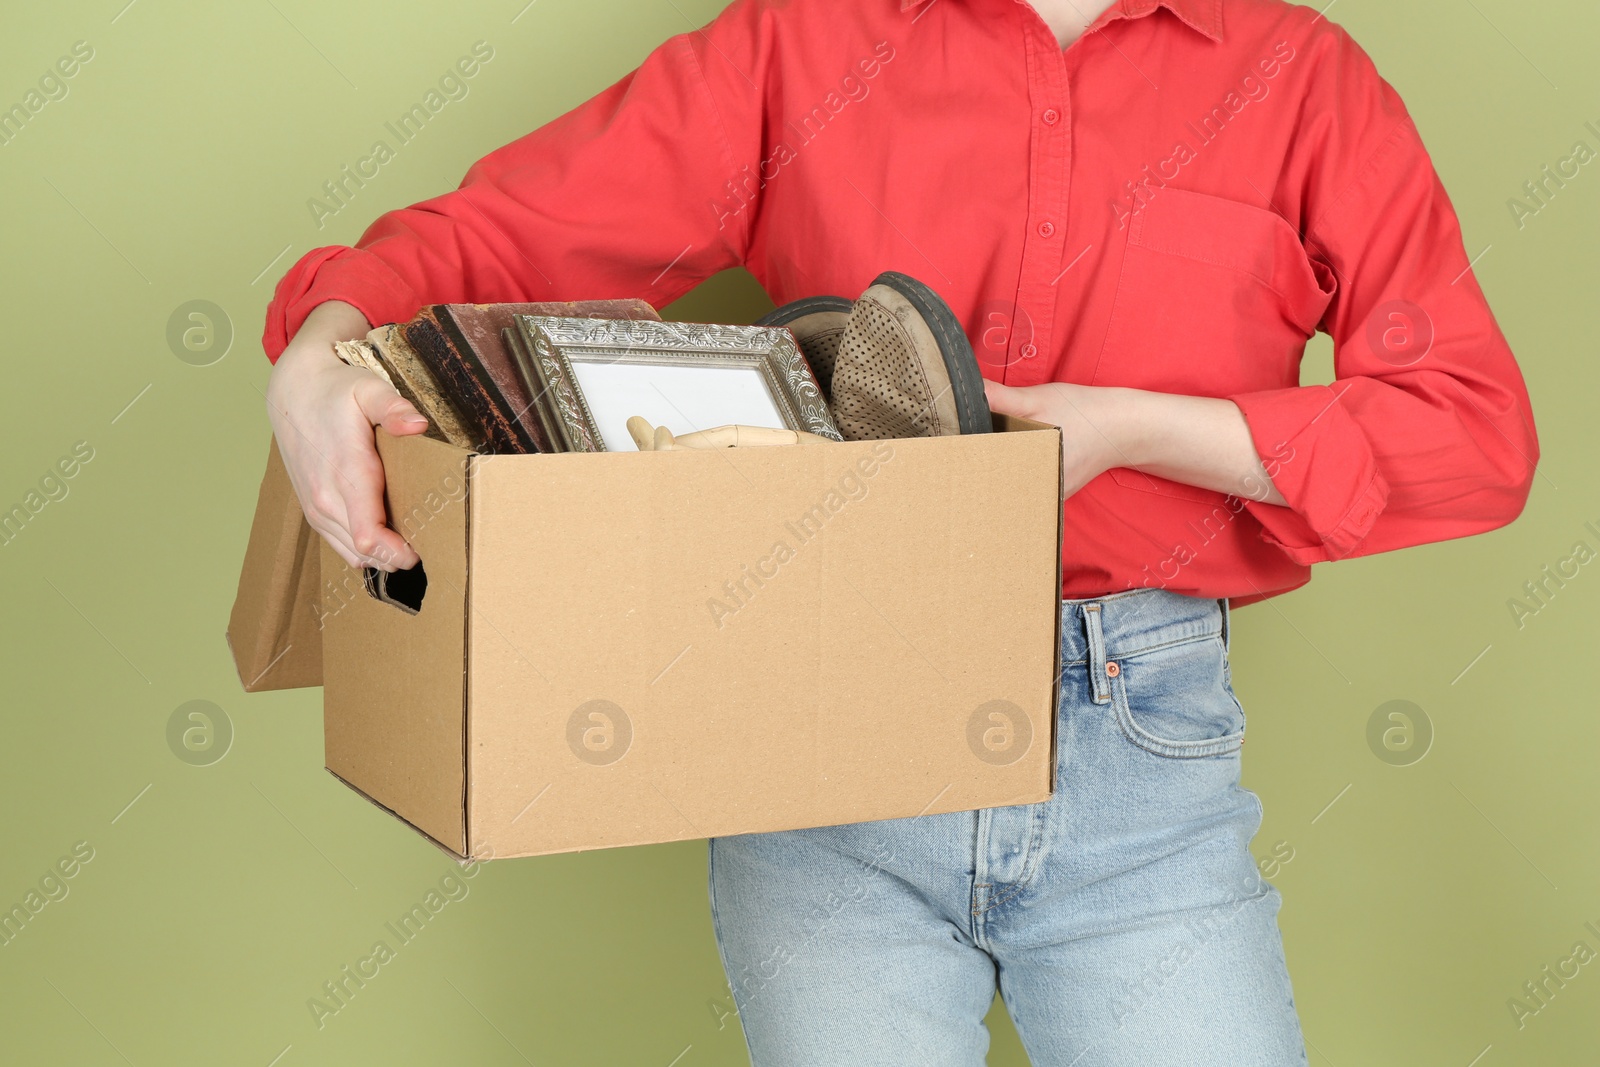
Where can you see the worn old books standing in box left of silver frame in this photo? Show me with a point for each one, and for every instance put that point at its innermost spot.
(463, 367)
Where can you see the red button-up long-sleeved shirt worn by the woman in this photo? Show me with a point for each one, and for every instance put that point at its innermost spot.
(1174, 202)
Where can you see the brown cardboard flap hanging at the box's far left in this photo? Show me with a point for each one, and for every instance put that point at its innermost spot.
(273, 631)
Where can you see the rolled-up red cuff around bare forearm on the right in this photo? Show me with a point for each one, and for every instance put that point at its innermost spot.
(1324, 466)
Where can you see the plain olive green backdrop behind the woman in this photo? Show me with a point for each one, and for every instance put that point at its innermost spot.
(1420, 898)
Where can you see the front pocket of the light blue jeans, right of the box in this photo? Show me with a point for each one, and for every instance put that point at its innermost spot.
(1177, 701)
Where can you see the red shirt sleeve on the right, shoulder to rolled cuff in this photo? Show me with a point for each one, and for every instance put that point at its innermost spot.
(1428, 433)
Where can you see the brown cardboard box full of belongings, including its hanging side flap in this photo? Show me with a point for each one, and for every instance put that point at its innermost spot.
(622, 649)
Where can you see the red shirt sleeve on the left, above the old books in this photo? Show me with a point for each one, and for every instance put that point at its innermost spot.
(628, 196)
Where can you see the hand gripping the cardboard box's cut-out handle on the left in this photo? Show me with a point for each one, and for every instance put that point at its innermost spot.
(322, 415)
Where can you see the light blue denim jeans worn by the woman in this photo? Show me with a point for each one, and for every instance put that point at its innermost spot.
(1124, 921)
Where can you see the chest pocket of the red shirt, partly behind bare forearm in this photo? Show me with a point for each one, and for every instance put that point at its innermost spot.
(1215, 298)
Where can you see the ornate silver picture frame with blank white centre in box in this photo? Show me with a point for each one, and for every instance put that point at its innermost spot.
(591, 375)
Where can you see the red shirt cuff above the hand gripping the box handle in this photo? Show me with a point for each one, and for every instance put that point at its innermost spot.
(335, 274)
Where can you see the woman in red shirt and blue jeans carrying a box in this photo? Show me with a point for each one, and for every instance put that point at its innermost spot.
(1140, 212)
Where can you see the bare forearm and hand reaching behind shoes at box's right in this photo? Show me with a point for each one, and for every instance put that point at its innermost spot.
(1196, 441)
